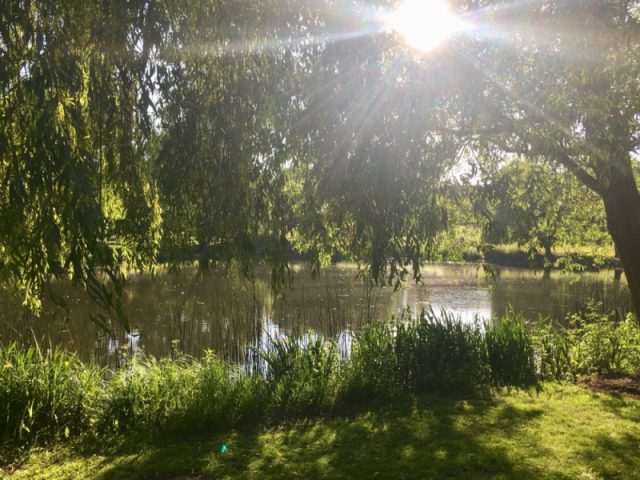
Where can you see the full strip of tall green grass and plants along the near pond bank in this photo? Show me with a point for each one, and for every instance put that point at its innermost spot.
(54, 396)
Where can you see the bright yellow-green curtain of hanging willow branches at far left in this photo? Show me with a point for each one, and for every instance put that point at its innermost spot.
(75, 190)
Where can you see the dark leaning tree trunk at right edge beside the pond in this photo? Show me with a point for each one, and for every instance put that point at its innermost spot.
(622, 205)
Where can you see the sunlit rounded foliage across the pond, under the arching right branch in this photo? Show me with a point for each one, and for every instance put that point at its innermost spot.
(539, 207)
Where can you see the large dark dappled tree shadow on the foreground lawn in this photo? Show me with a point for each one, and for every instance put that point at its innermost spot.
(419, 438)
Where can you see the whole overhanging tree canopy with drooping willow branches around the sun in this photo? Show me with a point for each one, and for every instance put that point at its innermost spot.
(133, 127)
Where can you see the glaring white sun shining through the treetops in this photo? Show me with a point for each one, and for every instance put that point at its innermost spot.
(424, 24)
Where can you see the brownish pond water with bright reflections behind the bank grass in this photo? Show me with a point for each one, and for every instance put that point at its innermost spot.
(192, 311)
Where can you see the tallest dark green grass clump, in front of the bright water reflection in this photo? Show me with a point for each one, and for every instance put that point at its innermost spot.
(425, 353)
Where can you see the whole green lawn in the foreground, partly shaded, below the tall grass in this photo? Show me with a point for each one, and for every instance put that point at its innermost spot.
(562, 432)
